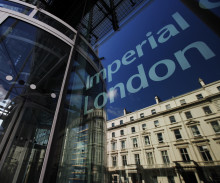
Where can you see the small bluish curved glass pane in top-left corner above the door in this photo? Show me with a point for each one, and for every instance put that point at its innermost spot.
(15, 7)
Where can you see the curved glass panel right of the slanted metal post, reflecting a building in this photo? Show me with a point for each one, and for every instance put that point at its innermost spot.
(77, 159)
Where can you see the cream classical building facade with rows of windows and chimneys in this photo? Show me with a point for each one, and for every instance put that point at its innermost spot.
(177, 140)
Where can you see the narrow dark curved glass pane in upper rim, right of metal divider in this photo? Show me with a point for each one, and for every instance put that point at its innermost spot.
(55, 24)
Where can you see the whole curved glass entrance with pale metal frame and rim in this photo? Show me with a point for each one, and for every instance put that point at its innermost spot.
(45, 133)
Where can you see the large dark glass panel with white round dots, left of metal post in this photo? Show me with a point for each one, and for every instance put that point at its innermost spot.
(31, 74)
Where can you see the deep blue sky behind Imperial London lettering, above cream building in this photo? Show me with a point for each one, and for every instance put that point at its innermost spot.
(146, 56)
